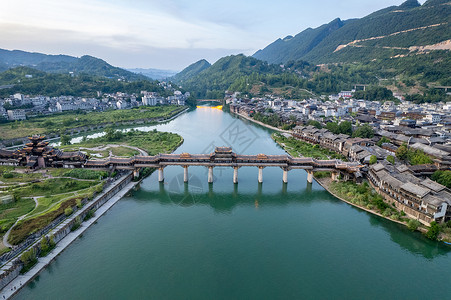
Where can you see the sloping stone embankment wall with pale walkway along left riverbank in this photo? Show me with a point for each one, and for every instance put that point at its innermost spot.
(10, 278)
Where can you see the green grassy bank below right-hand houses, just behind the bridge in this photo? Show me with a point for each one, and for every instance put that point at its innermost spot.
(298, 148)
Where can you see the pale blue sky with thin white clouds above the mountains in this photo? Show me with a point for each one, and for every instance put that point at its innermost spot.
(165, 34)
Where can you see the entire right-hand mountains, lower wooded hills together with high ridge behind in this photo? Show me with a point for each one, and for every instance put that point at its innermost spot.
(403, 48)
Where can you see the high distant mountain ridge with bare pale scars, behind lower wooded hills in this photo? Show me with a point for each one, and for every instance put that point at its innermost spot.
(393, 31)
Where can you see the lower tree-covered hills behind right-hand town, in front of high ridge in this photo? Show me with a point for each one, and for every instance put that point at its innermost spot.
(299, 79)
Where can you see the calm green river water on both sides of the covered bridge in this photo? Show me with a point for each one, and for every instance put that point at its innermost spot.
(245, 241)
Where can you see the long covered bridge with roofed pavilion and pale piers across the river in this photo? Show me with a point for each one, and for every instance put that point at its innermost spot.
(224, 157)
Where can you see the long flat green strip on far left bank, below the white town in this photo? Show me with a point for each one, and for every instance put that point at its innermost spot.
(64, 121)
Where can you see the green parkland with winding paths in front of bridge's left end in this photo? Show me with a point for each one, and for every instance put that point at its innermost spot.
(55, 189)
